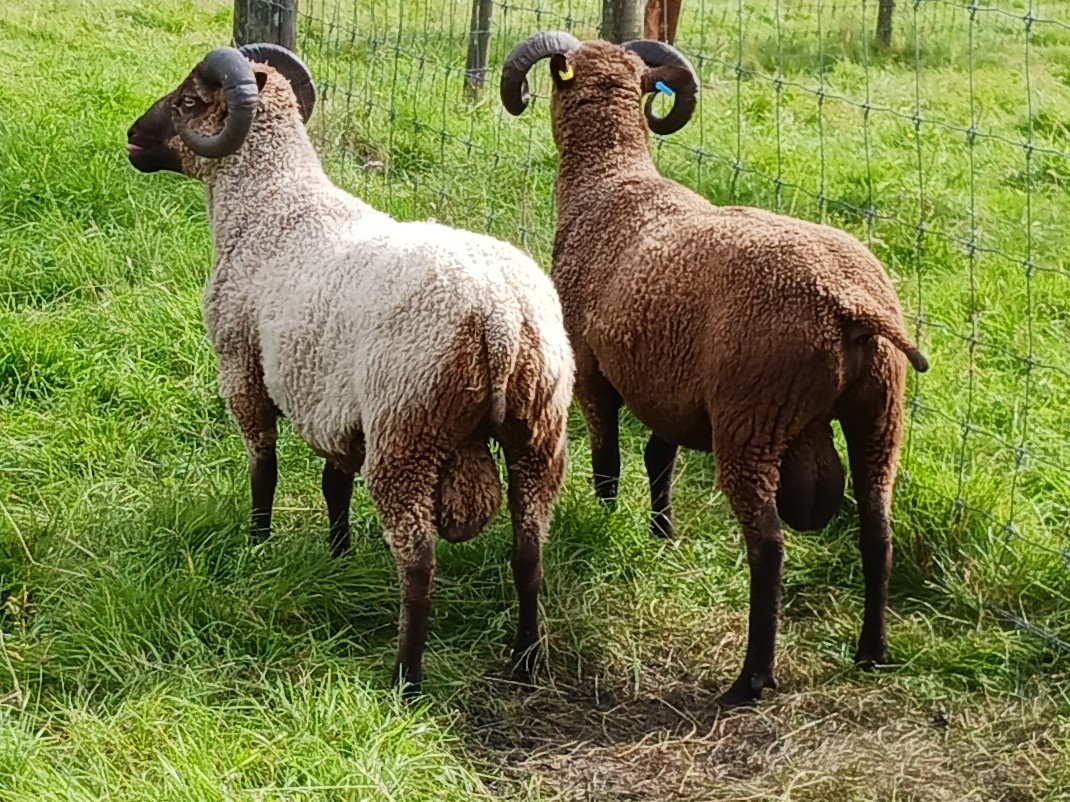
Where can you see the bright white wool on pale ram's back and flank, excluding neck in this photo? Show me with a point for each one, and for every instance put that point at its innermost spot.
(375, 320)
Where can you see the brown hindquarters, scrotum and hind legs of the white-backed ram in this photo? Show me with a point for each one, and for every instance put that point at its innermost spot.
(432, 470)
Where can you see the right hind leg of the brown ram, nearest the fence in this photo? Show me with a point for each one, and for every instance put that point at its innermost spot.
(873, 421)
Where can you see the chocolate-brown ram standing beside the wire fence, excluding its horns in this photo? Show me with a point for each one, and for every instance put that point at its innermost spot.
(727, 329)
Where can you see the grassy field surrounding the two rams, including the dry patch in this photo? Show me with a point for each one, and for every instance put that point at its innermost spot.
(148, 652)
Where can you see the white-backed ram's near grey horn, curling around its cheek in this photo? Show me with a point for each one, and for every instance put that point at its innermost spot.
(226, 68)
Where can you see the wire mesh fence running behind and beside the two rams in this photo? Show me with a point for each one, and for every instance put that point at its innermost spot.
(946, 151)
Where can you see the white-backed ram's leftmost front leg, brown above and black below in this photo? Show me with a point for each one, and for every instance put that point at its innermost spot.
(257, 420)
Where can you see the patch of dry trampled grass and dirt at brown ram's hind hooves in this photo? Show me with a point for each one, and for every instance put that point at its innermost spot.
(837, 744)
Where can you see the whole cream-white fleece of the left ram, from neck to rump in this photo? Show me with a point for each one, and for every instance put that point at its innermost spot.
(350, 313)
